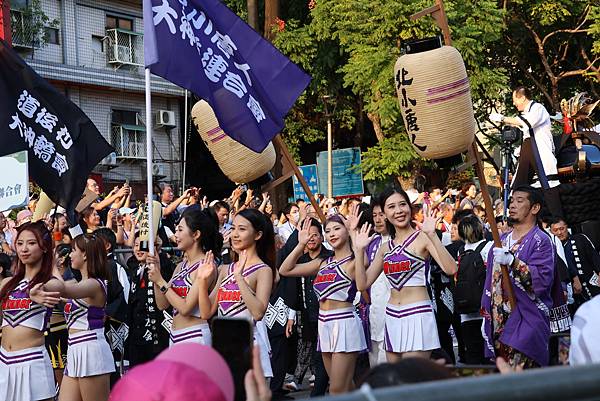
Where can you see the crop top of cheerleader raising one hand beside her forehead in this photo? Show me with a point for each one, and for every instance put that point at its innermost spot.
(332, 282)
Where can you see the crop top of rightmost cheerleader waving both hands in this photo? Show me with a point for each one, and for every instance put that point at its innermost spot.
(403, 268)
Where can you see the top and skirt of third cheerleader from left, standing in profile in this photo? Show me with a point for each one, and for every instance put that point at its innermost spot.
(182, 283)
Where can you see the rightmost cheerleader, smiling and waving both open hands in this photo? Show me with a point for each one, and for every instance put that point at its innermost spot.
(410, 328)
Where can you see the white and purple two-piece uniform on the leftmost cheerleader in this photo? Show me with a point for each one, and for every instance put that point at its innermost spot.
(25, 374)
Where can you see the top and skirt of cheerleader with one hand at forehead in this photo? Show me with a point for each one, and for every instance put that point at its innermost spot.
(340, 330)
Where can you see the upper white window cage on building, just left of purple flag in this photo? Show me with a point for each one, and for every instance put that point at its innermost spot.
(124, 47)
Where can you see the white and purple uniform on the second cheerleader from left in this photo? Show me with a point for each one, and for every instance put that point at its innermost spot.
(89, 353)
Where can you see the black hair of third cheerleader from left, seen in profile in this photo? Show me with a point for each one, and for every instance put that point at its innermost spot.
(207, 223)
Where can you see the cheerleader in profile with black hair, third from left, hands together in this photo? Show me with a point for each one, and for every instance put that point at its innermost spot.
(196, 234)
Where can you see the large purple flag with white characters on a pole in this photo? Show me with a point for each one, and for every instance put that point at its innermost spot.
(203, 46)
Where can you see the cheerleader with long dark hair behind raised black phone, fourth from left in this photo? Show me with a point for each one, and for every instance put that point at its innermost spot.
(243, 288)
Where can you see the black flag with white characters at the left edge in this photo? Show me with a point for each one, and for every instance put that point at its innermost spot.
(63, 144)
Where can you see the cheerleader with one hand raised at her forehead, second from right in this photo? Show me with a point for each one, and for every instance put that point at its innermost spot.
(341, 335)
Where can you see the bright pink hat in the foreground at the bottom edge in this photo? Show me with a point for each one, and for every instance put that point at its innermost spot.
(187, 371)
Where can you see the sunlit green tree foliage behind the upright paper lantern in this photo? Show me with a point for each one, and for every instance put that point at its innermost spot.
(353, 45)
